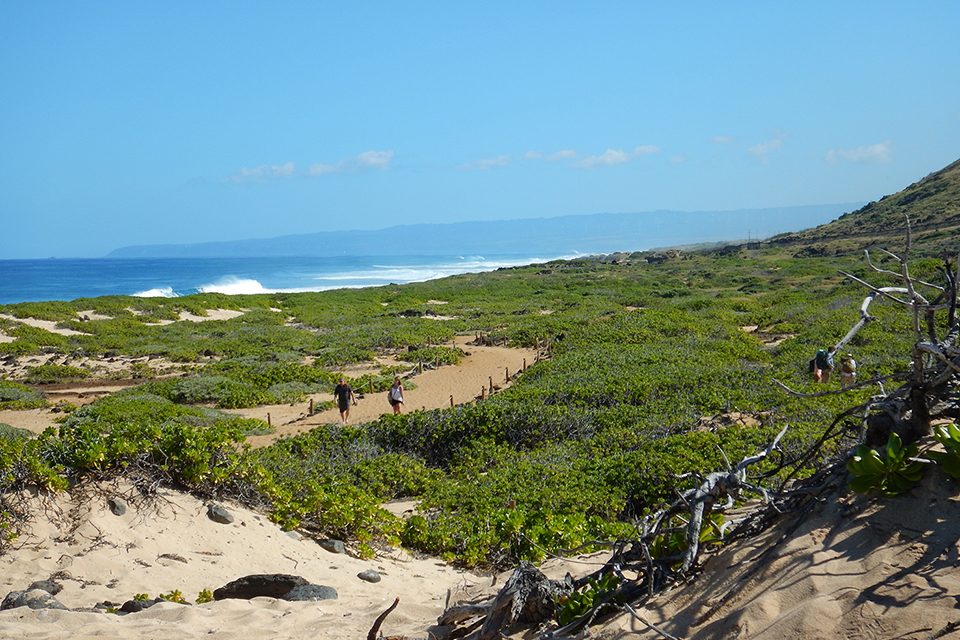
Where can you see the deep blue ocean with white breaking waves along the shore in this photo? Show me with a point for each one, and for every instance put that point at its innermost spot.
(69, 279)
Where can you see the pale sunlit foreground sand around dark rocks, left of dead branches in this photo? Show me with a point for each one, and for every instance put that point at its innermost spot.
(97, 556)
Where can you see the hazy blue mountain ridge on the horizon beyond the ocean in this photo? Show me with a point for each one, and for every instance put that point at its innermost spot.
(595, 233)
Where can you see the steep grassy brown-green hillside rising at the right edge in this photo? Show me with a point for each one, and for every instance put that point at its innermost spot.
(933, 205)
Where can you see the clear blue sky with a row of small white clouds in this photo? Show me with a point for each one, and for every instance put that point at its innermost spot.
(179, 122)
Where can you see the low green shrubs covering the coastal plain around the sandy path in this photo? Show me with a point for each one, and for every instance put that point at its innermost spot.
(650, 371)
